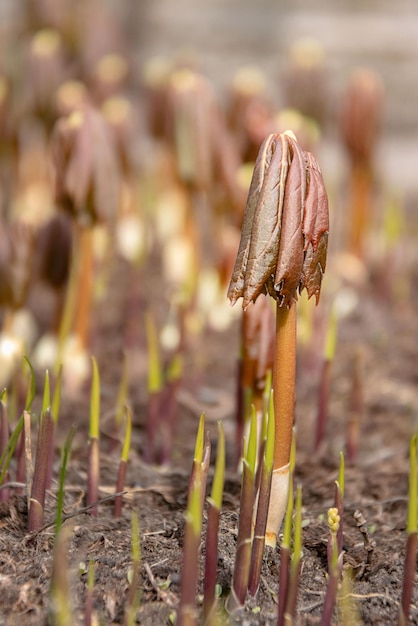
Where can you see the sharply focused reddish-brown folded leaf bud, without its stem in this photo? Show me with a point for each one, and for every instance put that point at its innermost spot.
(285, 231)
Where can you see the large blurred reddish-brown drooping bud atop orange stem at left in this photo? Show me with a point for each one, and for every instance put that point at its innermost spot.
(86, 168)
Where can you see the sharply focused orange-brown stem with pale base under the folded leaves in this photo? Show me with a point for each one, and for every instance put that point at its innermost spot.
(283, 382)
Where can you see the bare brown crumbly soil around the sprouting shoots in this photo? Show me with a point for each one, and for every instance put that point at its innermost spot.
(379, 334)
